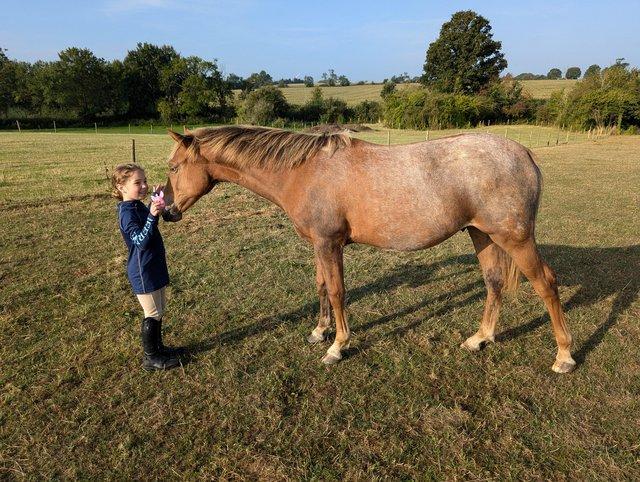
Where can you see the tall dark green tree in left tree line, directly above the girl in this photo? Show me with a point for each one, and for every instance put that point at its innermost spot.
(143, 67)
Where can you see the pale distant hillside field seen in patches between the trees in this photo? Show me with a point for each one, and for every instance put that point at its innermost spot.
(354, 94)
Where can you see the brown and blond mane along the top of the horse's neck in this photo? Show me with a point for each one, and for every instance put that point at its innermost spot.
(275, 149)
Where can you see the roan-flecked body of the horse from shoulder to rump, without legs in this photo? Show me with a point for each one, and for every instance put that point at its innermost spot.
(415, 196)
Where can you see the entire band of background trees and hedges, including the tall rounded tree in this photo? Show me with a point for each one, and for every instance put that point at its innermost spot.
(461, 85)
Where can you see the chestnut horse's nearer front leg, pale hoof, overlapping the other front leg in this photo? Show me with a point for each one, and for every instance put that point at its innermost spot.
(329, 255)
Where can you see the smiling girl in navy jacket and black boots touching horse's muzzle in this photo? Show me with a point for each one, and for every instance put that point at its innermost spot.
(147, 264)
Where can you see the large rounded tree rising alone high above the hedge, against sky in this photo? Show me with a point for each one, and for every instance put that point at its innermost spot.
(464, 58)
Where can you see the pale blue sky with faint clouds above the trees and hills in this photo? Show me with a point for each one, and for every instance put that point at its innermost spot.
(369, 40)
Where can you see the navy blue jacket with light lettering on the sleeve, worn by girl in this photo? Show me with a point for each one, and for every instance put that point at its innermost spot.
(147, 262)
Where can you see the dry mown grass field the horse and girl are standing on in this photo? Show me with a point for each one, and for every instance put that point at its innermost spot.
(255, 401)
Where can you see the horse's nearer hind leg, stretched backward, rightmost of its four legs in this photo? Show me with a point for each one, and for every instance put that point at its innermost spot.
(543, 279)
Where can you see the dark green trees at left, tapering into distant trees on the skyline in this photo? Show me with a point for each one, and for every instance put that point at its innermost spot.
(151, 82)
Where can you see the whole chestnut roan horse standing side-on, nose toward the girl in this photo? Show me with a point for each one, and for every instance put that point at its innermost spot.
(338, 190)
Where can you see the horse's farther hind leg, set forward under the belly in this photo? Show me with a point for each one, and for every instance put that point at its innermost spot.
(490, 256)
